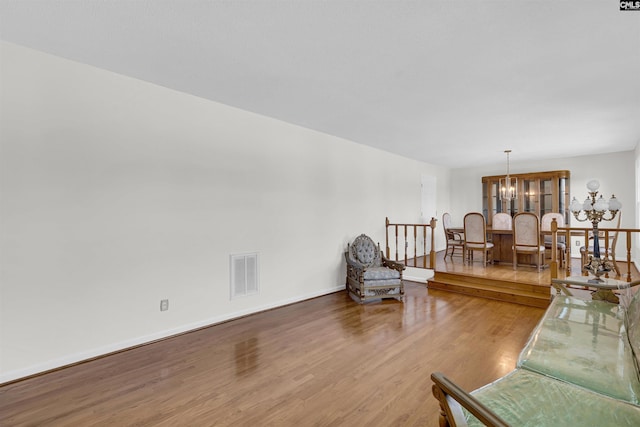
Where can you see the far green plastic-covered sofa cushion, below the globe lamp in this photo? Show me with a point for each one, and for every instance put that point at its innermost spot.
(584, 343)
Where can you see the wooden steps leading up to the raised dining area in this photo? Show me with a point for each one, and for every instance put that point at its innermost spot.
(533, 295)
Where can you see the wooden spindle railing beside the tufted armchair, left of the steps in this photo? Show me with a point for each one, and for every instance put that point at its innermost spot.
(402, 234)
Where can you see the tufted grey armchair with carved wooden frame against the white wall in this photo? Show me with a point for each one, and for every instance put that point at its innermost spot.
(370, 275)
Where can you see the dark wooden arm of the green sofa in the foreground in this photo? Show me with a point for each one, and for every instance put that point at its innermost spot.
(452, 398)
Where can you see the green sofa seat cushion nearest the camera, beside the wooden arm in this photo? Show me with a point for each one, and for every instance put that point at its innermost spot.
(524, 398)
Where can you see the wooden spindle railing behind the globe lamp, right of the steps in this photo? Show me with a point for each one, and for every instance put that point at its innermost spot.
(586, 233)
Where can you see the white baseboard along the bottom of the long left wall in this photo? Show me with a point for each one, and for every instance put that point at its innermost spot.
(71, 359)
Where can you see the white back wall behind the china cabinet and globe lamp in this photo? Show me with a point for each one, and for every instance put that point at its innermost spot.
(615, 171)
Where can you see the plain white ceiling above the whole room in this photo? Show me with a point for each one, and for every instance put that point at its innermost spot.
(453, 83)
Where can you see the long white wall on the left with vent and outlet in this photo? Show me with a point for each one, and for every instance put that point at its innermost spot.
(117, 193)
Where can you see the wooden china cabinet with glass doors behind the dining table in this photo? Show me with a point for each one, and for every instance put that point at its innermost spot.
(538, 192)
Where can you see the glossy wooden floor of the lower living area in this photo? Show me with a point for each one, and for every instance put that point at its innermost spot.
(323, 362)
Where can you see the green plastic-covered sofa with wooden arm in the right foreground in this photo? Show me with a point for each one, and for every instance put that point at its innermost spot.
(578, 368)
